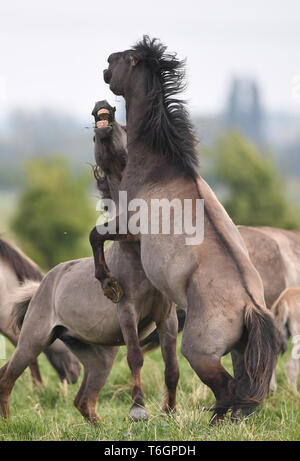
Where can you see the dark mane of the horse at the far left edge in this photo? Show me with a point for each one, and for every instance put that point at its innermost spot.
(23, 267)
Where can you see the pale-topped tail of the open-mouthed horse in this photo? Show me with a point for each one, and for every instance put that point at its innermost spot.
(20, 300)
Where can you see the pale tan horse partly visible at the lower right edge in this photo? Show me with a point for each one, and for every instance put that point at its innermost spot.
(286, 310)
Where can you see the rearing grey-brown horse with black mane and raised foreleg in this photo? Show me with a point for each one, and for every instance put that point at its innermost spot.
(215, 282)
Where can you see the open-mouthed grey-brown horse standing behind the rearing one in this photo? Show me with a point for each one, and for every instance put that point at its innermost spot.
(69, 304)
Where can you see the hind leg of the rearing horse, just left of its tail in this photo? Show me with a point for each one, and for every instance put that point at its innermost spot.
(205, 340)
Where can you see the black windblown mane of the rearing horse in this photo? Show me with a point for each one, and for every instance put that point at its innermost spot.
(166, 125)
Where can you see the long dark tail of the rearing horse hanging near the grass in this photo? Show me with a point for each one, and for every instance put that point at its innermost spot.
(261, 352)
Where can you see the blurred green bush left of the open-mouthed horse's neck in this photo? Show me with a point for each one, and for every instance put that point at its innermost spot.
(54, 214)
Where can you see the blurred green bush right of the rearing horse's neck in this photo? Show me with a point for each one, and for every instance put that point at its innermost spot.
(254, 190)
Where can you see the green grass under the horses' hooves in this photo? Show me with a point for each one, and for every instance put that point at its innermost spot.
(48, 413)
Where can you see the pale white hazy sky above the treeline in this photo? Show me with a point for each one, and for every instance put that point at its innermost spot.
(53, 52)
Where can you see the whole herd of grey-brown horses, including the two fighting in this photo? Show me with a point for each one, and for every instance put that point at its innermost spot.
(233, 290)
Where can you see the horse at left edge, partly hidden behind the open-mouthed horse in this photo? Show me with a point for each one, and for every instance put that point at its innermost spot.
(16, 269)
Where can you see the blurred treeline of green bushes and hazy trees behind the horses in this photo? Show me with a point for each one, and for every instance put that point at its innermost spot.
(250, 158)
